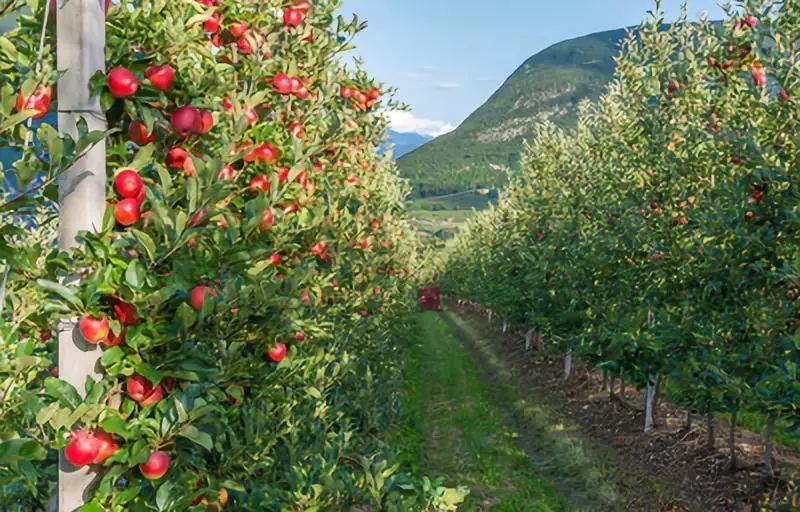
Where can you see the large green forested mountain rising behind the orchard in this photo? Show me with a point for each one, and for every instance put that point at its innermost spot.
(490, 140)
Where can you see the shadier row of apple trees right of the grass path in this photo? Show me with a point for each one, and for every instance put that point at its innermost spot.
(659, 239)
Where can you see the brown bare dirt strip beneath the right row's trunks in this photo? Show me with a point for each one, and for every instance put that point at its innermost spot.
(700, 477)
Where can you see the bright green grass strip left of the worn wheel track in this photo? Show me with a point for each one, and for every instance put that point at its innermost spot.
(451, 428)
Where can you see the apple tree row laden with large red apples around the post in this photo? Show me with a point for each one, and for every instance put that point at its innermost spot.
(247, 284)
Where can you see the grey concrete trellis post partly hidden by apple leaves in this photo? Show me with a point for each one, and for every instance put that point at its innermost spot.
(81, 53)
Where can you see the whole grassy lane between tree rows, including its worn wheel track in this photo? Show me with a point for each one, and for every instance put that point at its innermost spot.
(468, 418)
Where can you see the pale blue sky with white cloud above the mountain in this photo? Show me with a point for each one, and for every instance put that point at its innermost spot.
(447, 57)
